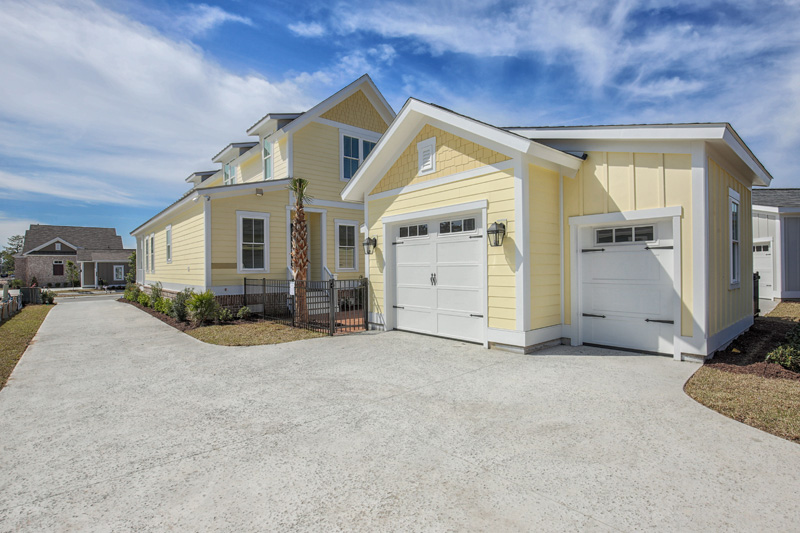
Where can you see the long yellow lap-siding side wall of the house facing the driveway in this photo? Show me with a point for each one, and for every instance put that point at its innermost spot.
(188, 249)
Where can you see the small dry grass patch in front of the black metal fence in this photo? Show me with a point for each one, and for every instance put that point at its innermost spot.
(251, 334)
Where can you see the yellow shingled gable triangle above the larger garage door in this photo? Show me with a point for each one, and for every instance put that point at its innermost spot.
(453, 154)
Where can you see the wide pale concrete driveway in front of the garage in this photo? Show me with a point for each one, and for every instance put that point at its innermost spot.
(115, 421)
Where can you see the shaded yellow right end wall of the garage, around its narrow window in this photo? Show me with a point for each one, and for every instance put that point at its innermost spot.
(728, 306)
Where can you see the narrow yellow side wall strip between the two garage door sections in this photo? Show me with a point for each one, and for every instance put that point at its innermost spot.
(545, 246)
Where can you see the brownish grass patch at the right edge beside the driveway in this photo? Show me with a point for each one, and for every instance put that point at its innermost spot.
(772, 405)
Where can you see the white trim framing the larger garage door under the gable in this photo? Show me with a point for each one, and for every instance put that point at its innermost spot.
(479, 208)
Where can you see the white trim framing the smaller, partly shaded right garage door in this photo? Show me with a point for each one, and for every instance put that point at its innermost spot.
(579, 223)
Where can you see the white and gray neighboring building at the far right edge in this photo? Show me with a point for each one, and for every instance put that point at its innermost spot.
(776, 242)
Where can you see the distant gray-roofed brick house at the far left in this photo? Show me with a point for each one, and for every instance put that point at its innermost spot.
(97, 252)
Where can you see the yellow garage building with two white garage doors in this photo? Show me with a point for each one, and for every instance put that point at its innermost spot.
(635, 237)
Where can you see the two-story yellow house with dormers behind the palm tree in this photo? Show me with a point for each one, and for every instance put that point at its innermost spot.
(235, 222)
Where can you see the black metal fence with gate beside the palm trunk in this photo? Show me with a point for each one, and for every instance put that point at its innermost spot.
(332, 307)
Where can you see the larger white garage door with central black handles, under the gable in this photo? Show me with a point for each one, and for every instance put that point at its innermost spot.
(439, 277)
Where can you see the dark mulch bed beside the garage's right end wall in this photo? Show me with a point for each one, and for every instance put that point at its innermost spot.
(746, 354)
